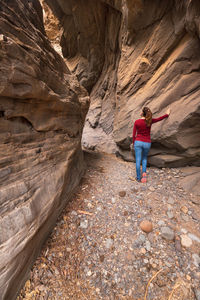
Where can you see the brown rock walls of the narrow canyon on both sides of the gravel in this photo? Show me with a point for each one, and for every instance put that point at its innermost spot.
(74, 76)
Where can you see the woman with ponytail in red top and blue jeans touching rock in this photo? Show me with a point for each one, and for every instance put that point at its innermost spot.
(142, 140)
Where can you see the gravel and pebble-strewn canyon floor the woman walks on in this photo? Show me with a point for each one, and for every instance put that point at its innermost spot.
(98, 250)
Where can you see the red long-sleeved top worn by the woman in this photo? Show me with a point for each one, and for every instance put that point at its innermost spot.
(143, 132)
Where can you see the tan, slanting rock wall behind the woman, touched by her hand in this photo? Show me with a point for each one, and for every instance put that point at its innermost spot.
(134, 53)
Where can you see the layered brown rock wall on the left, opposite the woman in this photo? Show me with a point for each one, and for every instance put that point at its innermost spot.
(42, 112)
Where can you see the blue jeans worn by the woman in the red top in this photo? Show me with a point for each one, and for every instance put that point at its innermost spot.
(141, 153)
